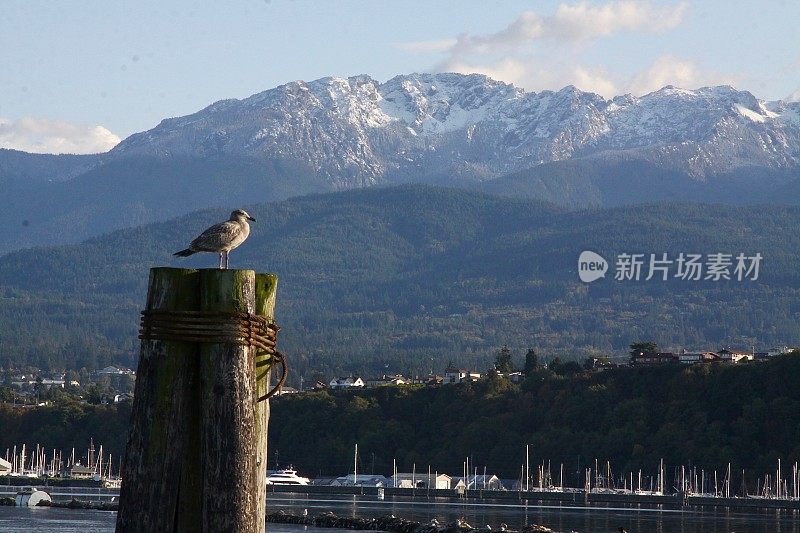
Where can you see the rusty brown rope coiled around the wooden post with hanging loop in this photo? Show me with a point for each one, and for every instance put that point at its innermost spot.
(244, 329)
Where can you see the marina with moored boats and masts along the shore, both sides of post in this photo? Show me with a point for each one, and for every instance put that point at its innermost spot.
(686, 488)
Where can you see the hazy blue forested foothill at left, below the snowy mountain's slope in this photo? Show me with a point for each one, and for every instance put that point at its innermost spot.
(129, 192)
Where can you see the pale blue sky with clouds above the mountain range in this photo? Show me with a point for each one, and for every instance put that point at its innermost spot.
(75, 76)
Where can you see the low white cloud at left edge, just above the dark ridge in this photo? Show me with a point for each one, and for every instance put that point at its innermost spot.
(45, 136)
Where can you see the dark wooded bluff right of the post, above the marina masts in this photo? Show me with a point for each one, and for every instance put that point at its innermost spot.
(704, 416)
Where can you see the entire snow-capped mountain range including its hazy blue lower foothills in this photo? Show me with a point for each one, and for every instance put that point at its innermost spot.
(568, 147)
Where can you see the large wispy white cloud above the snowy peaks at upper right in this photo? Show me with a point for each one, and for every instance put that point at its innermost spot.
(538, 52)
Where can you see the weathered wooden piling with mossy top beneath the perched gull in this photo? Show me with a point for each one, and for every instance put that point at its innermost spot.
(196, 454)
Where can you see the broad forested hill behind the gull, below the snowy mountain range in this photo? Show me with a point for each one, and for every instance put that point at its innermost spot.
(405, 279)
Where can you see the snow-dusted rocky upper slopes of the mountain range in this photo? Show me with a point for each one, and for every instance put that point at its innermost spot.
(356, 132)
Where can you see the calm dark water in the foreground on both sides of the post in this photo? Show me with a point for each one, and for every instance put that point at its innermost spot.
(559, 518)
